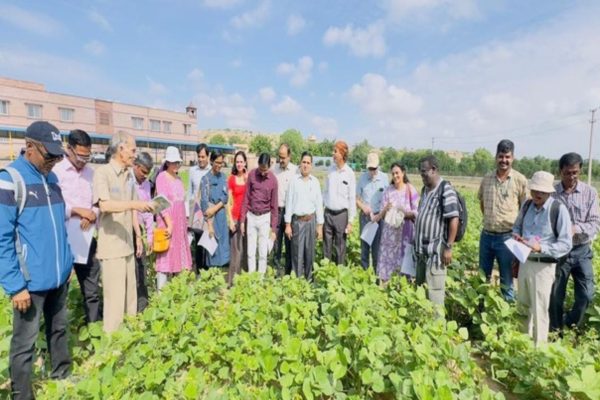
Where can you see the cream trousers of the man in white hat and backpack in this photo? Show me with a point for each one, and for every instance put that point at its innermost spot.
(535, 287)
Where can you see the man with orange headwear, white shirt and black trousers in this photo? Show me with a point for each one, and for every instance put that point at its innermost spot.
(340, 204)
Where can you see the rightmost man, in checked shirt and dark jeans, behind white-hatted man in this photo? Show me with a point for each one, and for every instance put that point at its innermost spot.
(582, 202)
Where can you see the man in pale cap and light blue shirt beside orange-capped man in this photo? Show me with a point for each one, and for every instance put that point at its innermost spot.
(369, 192)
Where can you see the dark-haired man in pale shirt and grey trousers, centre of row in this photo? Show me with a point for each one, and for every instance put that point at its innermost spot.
(303, 205)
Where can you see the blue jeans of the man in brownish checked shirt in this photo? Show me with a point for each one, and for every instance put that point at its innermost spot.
(492, 247)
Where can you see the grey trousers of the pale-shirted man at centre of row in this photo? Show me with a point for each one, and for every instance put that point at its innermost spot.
(303, 247)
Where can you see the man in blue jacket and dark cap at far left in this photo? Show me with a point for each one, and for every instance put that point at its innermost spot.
(35, 272)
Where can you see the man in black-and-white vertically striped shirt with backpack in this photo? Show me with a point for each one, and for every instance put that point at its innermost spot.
(435, 229)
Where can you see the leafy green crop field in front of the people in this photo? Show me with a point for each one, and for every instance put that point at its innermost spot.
(340, 337)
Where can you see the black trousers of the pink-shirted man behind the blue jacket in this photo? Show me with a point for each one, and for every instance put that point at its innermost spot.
(88, 276)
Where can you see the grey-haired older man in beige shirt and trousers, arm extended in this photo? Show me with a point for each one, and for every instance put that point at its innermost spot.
(116, 196)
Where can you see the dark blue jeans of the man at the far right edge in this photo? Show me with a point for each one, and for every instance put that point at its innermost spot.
(579, 264)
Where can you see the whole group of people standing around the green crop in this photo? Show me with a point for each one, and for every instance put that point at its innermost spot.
(50, 199)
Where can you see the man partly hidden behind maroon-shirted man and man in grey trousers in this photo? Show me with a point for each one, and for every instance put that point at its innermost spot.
(284, 171)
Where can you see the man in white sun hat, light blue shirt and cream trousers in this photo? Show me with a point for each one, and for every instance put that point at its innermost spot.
(544, 225)
